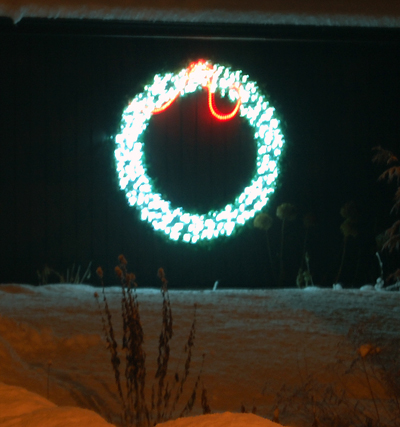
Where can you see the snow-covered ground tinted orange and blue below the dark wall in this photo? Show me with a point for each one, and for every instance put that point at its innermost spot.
(254, 341)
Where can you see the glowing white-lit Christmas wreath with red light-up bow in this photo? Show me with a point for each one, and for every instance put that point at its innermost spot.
(249, 103)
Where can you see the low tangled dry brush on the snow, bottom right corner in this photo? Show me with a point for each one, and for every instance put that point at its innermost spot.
(374, 367)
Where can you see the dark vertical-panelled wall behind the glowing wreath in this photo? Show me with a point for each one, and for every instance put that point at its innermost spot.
(61, 98)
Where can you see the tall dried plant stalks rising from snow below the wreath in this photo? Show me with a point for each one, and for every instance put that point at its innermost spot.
(137, 409)
